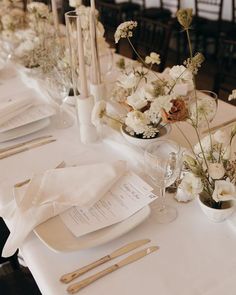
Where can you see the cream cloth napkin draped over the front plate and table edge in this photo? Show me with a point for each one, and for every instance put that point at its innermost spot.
(52, 193)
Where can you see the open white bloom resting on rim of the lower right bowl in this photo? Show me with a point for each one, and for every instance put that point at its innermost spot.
(224, 191)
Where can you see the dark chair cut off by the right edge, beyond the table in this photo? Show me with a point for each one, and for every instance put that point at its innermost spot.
(225, 77)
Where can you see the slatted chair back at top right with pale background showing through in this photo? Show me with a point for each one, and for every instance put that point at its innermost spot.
(210, 9)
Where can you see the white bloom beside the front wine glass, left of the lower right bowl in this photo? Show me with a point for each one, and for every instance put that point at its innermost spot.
(192, 185)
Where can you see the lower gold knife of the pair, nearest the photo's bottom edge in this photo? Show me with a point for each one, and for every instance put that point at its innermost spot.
(72, 289)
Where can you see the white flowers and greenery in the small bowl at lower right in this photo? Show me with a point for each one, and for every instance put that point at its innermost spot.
(212, 165)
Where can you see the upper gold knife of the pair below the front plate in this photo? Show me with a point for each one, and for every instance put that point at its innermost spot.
(125, 249)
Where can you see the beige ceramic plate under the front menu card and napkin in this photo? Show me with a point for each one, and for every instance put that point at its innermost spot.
(55, 235)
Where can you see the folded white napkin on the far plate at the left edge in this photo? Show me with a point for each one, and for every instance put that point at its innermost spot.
(12, 108)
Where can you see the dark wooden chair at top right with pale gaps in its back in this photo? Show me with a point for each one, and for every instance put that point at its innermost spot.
(207, 24)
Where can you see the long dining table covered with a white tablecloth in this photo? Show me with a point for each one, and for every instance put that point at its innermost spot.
(195, 256)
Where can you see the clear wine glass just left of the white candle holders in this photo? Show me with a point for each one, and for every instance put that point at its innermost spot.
(58, 85)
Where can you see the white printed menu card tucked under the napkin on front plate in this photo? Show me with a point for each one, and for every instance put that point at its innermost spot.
(129, 195)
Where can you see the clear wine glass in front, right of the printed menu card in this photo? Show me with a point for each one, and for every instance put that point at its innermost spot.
(162, 165)
